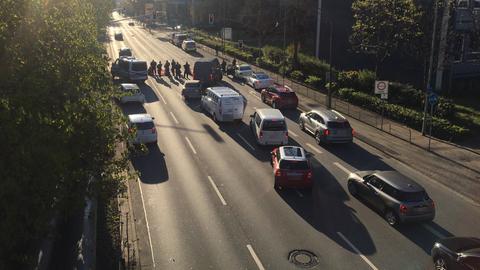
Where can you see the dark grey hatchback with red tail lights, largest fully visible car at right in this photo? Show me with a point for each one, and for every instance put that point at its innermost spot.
(398, 198)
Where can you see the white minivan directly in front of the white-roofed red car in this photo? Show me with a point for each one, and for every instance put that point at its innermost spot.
(269, 127)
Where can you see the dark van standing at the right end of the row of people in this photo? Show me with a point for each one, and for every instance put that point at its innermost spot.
(207, 71)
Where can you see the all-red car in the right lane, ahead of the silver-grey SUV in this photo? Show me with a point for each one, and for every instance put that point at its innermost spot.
(280, 97)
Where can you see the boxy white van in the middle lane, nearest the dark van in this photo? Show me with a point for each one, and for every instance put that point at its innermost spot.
(223, 104)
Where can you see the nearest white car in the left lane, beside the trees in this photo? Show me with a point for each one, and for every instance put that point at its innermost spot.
(143, 127)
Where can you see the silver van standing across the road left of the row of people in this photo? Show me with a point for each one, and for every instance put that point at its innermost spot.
(130, 69)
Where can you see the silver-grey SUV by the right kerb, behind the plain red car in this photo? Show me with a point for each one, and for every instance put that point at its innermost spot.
(327, 126)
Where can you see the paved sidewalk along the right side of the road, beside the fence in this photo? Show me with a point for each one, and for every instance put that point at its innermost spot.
(454, 166)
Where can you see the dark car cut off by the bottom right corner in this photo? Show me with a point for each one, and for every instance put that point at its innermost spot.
(456, 253)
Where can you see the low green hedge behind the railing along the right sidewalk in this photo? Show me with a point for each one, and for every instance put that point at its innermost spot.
(441, 127)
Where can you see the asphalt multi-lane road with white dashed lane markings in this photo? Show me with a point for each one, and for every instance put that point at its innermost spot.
(205, 197)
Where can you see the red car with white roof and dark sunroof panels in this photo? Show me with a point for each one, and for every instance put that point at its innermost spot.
(291, 167)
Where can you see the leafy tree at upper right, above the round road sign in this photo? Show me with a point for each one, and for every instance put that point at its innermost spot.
(383, 27)
